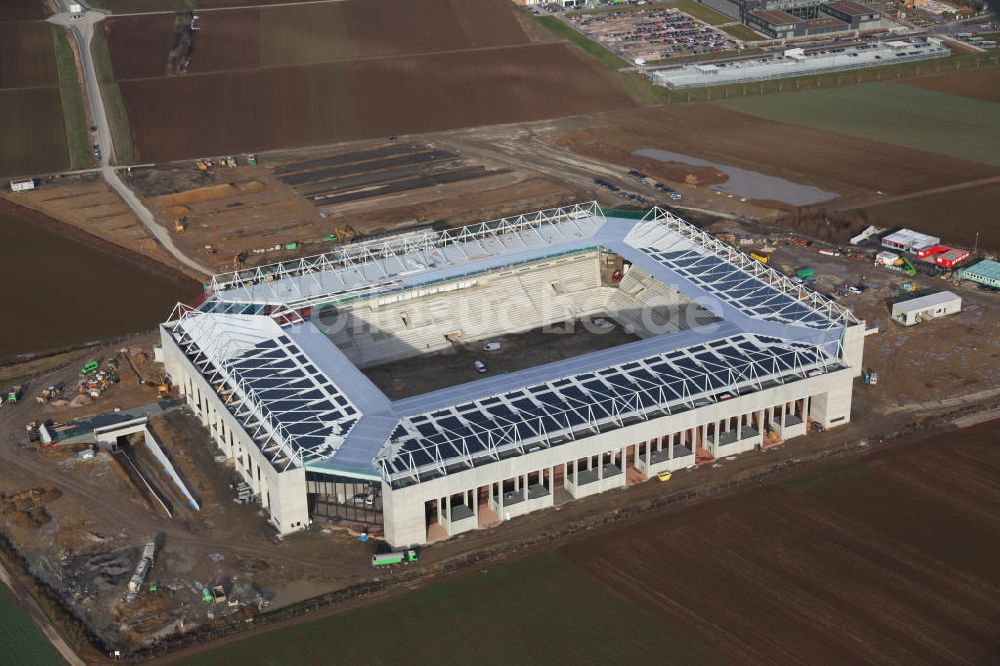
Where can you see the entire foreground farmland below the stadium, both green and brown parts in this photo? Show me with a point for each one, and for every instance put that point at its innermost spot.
(887, 558)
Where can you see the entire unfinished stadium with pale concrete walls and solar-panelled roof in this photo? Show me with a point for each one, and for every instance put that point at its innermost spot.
(362, 385)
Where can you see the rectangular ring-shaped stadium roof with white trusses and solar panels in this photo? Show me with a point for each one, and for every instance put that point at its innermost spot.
(306, 405)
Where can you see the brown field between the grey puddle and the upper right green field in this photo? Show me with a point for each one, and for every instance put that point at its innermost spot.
(849, 164)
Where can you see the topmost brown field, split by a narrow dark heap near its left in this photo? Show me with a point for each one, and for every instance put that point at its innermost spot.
(309, 34)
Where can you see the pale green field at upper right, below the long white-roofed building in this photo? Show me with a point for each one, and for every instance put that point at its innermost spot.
(893, 113)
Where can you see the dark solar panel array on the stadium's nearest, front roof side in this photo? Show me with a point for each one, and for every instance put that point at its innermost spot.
(592, 401)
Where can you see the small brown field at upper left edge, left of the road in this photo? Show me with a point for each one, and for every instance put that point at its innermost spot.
(26, 57)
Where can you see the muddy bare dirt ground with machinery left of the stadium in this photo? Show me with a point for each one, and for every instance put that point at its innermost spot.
(85, 538)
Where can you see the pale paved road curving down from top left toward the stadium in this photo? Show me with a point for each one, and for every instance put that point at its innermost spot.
(82, 30)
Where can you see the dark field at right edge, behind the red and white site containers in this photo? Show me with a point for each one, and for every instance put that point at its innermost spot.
(955, 215)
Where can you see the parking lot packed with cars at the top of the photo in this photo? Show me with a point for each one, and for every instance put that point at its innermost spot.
(654, 33)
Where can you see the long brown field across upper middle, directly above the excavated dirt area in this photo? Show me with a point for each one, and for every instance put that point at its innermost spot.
(185, 116)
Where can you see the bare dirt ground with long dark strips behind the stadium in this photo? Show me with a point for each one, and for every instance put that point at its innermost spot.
(294, 197)
